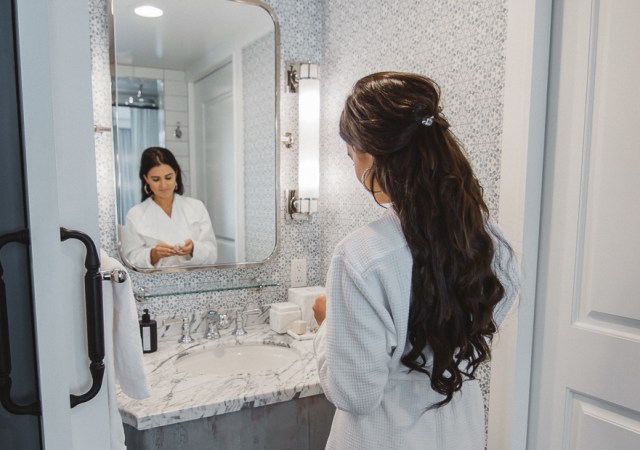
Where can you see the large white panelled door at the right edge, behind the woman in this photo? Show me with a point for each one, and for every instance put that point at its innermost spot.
(585, 393)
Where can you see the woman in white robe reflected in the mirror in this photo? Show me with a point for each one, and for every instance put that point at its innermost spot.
(167, 229)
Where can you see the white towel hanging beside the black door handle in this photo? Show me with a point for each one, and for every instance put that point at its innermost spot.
(123, 348)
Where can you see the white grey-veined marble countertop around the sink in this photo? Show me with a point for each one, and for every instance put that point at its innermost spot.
(178, 397)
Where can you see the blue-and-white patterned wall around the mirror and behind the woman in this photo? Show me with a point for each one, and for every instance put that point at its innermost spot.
(458, 43)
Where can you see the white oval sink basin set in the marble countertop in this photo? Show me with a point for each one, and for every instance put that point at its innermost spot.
(237, 359)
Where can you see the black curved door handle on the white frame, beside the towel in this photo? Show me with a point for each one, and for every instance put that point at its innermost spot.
(95, 322)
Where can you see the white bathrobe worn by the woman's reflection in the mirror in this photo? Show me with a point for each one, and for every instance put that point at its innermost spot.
(147, 224)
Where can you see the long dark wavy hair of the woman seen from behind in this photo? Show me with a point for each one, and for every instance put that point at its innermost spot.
(421, 166)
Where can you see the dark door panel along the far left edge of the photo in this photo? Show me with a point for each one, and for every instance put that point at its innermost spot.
(18, 429)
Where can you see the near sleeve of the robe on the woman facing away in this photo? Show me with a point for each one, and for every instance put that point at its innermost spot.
(352, 345)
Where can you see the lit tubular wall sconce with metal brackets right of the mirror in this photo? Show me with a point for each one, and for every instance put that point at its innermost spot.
(304, 79)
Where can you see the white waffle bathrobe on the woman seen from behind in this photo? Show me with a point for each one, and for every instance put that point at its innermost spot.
(379, 403)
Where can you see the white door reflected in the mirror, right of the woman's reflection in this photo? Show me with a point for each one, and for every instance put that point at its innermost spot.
(216, 174)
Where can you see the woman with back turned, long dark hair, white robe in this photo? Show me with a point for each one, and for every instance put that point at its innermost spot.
(413, 298)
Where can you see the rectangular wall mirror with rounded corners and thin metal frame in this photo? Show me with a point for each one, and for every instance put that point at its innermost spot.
(200, 80)
